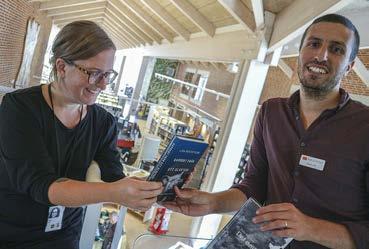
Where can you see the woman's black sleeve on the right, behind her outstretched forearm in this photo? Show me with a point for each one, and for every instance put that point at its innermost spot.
(108, 156)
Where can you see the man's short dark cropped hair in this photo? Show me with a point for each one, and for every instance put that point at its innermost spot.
(342, 20)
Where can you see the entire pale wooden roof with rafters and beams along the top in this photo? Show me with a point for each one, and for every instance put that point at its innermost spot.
(143, 23)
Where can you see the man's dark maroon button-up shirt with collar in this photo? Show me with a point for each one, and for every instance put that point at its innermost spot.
(339, 136)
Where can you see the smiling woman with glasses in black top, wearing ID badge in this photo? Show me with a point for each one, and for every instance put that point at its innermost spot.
(50, 134)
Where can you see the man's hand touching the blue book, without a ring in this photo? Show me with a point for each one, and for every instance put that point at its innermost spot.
(191, 202)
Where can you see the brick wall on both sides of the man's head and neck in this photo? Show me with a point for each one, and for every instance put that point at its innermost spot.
(278, 84)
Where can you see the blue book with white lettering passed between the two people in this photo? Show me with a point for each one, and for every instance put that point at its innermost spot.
(176, 164)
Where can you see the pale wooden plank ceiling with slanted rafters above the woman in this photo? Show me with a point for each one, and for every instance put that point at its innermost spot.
(135, 23)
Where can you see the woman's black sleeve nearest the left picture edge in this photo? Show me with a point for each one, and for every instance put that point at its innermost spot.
(22, 150)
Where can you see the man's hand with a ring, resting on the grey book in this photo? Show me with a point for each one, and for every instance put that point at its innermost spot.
(285, 220)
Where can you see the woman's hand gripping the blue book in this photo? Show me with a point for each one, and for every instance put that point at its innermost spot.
(135, 193)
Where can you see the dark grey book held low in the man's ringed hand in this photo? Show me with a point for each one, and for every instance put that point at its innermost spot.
(241, 233)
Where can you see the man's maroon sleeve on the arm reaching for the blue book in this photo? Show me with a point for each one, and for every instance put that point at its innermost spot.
(255, 182)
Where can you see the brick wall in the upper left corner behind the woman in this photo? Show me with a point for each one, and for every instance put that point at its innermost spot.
(13, 24)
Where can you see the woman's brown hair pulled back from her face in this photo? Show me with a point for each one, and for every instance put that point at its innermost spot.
(79, 40)
